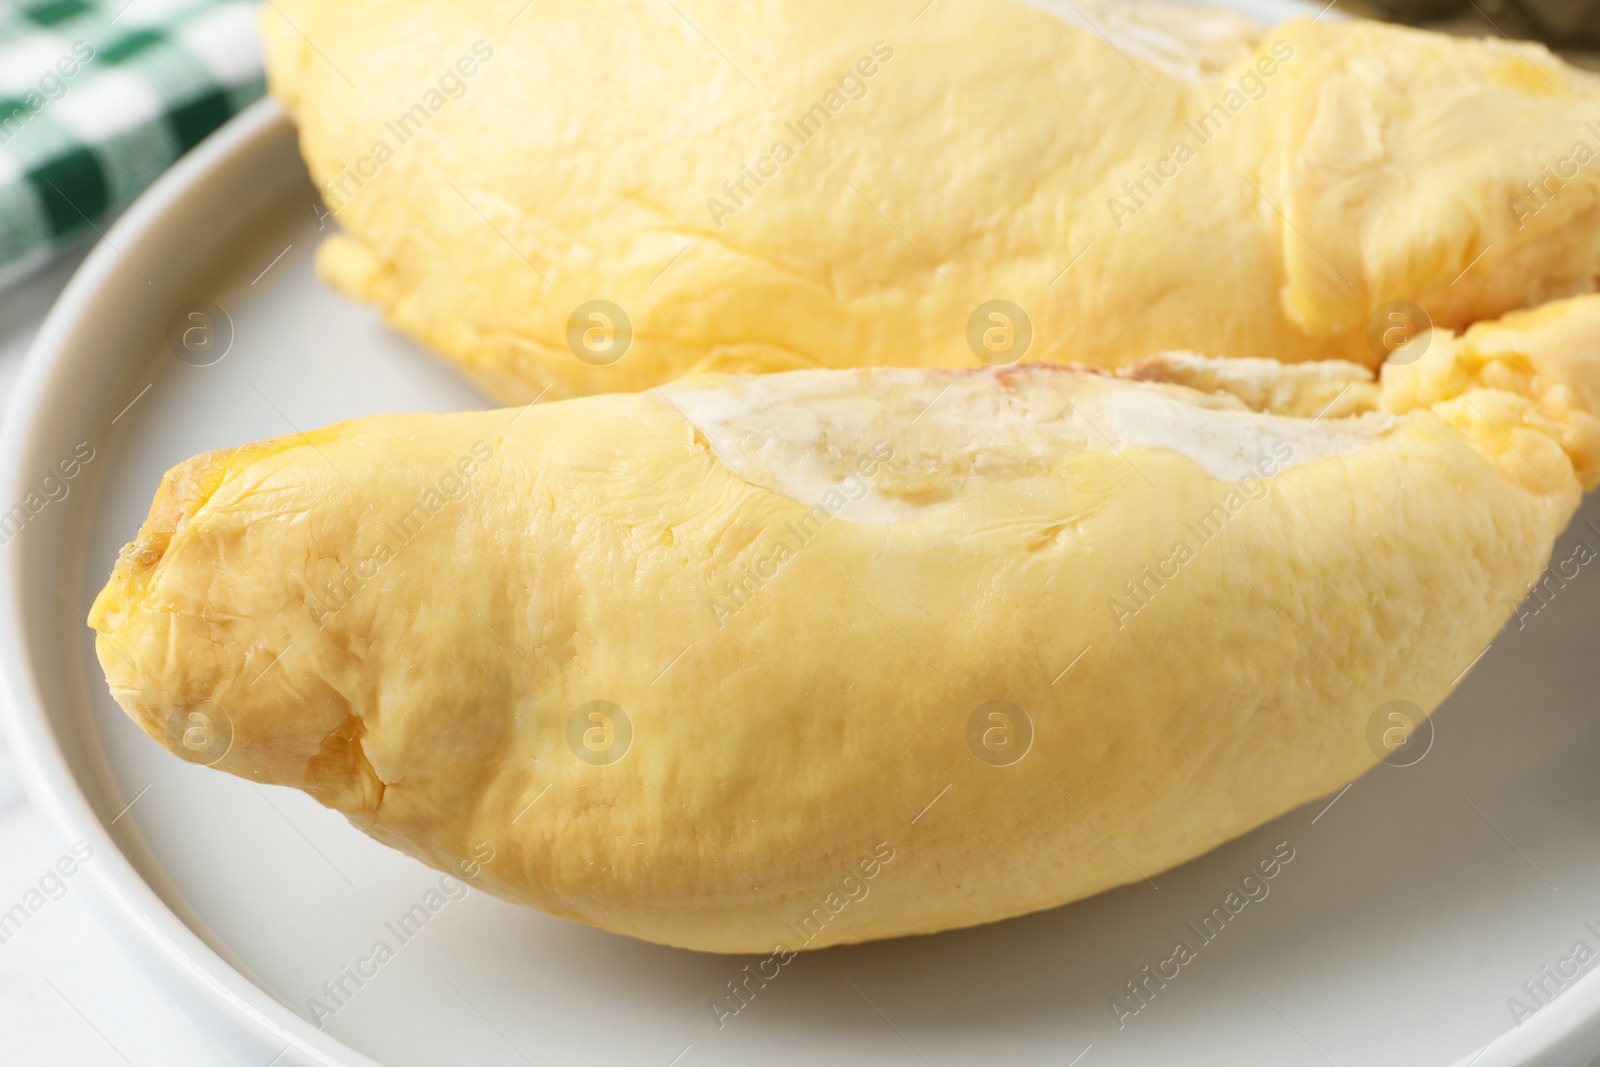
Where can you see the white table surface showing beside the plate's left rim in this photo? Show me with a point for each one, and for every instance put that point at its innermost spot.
(68, 994)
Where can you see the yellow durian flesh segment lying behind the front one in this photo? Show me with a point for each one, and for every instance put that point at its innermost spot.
(494, 175)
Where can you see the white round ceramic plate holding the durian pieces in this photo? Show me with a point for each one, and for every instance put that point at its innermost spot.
(1415, 908)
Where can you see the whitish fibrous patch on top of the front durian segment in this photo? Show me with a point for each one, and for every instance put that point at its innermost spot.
(812, 433)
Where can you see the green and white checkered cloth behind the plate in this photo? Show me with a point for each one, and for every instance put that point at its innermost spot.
(97, 100)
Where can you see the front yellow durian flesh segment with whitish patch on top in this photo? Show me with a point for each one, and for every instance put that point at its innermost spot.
(802, 593)
